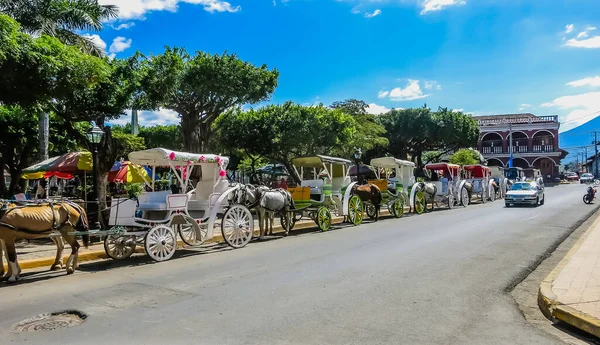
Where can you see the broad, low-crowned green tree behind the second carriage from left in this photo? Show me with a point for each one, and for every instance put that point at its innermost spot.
(282, 132)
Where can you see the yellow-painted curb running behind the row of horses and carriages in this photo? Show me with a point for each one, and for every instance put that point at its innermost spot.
(92, 255)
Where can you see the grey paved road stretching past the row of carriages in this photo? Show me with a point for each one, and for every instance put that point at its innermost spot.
(438, 278)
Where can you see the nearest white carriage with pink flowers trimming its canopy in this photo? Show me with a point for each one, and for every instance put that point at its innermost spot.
(156, 217)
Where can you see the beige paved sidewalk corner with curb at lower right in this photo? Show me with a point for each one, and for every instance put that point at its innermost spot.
(571, 292)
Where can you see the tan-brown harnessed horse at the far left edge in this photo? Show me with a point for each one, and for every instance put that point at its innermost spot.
(39, 221)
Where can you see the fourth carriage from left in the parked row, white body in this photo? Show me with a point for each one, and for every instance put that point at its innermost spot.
(446, 186)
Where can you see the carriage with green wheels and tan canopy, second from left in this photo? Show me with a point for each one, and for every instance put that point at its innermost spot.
(325, 188)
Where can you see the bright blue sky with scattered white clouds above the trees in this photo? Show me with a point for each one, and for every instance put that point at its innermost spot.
(481, 56)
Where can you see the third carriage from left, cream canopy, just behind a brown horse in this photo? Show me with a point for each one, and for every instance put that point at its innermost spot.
(395, 178)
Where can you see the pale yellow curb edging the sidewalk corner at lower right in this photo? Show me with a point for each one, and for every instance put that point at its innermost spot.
(553, 309)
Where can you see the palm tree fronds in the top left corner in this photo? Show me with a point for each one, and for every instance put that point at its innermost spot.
(62, 19)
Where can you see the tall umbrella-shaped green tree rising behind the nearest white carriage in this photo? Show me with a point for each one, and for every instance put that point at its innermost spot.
(203, 86)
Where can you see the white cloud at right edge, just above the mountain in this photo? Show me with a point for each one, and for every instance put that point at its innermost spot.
(582, 108)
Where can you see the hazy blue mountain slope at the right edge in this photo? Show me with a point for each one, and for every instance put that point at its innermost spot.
(574, 139)
